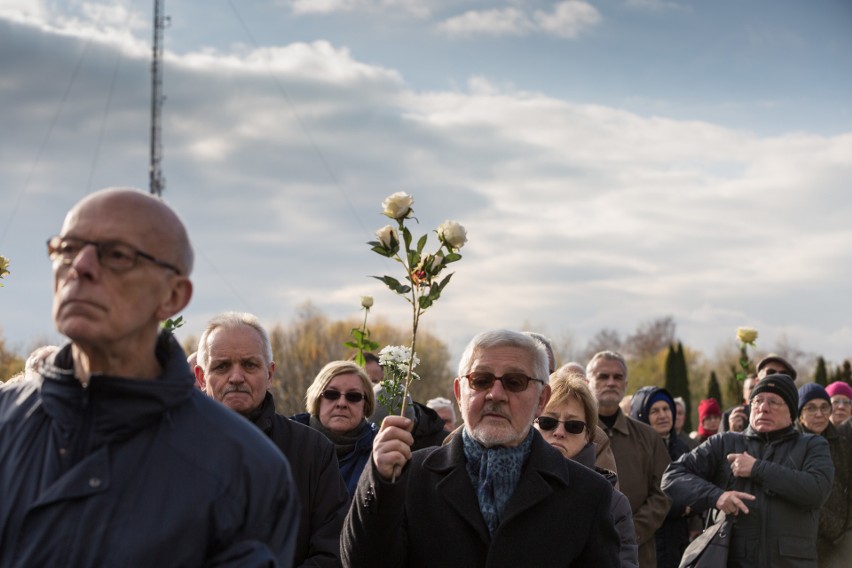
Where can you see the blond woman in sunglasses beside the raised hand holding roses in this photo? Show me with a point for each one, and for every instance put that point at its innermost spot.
(337, 404)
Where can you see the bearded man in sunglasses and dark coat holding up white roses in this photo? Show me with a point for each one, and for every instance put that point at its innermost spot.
(496, 495)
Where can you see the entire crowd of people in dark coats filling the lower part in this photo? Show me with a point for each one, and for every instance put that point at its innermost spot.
(119, 450)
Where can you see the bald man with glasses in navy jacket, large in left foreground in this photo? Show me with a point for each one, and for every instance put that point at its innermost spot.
(110, 455)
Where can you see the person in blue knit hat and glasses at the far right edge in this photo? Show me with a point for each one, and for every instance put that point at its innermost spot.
(815, 407)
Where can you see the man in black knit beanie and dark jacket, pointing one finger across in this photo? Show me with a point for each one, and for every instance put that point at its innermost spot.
(772, 478)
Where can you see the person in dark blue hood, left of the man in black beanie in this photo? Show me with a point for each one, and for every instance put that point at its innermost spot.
(656, 407)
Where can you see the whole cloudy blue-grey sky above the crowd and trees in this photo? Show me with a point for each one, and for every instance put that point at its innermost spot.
(613, 160)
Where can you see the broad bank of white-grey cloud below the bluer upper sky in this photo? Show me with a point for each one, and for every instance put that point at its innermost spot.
(579, 216)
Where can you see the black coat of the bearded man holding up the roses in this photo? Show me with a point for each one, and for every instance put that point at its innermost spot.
(558, 516)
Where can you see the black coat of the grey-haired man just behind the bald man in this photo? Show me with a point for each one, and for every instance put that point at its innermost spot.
(318, 481)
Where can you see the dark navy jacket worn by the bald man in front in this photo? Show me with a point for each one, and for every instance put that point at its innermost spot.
(132, 472)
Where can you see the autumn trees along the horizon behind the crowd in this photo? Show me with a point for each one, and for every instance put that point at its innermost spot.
(654, 353)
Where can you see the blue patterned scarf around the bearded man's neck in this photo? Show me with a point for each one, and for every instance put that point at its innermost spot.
(495, 473)
